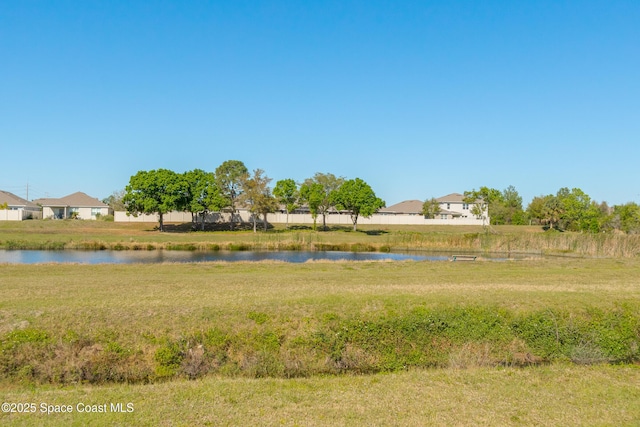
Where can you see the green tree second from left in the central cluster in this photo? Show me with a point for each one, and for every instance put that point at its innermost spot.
(203, 195)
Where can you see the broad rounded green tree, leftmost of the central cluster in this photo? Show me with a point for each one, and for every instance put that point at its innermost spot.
(155, 192)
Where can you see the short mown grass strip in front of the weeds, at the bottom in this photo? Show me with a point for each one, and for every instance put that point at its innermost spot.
(555, 395)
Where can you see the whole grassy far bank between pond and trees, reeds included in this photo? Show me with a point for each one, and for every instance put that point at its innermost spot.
(512, 240)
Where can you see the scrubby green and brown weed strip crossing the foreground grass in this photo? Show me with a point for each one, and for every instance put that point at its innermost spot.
(421, 338)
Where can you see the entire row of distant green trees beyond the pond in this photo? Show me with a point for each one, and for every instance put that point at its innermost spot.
(199, 192)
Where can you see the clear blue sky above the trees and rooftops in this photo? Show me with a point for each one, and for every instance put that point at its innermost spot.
(418, 98)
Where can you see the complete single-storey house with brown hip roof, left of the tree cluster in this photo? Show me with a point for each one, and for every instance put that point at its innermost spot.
(77, 205)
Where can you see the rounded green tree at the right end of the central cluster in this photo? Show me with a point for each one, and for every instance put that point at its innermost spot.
(357, 197)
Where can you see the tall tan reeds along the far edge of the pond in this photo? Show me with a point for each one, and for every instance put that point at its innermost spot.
(553, 243)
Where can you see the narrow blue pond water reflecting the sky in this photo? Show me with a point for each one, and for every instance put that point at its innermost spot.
(160, 256)
